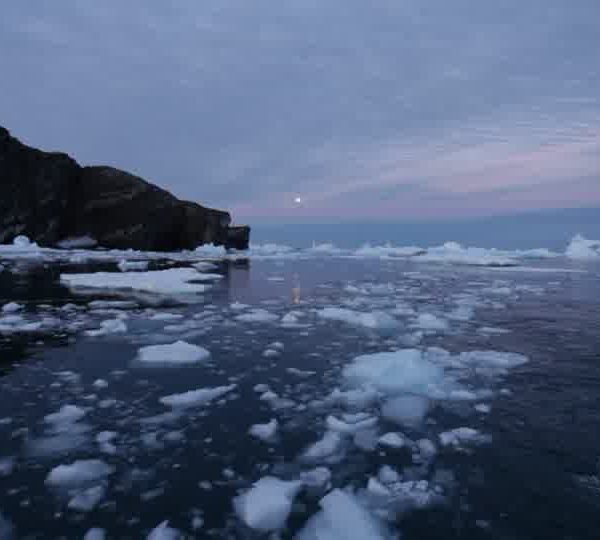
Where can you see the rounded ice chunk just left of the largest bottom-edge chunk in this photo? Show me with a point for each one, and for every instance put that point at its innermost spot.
(266, 506)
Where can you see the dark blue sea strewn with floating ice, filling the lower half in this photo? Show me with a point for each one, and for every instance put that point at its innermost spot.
(483, 364)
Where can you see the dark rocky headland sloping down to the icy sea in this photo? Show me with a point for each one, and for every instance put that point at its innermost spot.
(50, 198)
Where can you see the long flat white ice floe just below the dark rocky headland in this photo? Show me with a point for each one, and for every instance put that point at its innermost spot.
(171, 281)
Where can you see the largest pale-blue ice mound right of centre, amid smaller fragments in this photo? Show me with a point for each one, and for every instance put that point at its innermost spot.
(405, 370)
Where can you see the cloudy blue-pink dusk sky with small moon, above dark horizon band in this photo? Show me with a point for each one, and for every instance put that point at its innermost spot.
(318, 110)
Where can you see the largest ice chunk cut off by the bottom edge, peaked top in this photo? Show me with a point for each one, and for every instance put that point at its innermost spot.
(342, 516)
